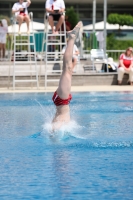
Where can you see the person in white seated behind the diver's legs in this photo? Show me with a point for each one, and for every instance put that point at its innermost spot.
(75, 54)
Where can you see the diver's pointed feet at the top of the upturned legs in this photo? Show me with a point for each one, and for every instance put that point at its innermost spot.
(74, 33)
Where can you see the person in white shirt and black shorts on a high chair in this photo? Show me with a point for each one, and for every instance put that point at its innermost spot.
(55, 9)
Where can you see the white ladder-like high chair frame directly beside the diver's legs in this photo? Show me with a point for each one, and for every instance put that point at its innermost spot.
(52, 49)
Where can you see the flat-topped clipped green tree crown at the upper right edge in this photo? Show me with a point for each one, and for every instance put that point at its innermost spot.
(122, 20)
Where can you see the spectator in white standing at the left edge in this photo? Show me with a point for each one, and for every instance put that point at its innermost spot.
(3, 32)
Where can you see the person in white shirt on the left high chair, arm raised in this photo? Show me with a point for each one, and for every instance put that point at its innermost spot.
(21, 13)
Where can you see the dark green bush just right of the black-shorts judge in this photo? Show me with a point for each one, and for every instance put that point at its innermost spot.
(73, 17)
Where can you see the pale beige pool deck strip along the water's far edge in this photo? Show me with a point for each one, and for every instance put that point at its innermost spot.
(100, 88)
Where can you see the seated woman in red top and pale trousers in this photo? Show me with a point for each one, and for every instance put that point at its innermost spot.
(126, 65)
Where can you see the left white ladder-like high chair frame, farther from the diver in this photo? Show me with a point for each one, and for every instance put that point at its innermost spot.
(24, 58)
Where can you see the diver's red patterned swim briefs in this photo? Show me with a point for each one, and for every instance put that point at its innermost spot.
(58, 101)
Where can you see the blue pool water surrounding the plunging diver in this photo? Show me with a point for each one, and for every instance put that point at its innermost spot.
(90, 159)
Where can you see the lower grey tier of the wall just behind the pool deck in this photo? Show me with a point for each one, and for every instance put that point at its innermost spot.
(77, 80)
